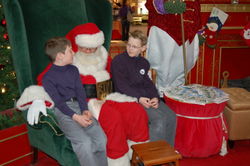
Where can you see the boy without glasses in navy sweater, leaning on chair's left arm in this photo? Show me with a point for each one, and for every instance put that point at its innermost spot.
(62, 83)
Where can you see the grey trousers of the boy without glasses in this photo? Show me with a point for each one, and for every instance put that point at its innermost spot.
(89, 143)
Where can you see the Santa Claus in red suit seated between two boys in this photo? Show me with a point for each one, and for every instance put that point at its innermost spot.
(120, 116)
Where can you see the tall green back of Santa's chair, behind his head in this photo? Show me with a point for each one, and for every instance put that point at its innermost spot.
(31, 23)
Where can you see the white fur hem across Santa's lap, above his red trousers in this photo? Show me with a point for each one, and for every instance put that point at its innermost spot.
(118, 97)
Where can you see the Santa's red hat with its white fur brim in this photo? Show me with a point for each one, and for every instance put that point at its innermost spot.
(86, 35)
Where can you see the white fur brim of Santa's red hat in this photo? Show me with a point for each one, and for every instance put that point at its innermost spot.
(90, 40)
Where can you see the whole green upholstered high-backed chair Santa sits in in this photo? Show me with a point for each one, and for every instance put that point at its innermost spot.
(30, 23)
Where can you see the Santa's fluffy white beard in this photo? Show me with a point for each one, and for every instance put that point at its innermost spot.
(97, 70)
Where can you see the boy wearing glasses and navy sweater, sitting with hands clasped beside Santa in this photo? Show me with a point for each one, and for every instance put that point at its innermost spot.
(130, 77)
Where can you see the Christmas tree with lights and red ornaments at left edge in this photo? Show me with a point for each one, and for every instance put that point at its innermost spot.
(8, 83)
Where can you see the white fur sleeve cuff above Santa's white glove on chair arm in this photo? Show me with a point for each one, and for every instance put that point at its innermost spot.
(32, 93)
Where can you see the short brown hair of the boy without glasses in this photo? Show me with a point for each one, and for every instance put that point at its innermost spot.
(56, 45)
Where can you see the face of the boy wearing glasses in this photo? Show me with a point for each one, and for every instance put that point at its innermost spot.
(134, 47)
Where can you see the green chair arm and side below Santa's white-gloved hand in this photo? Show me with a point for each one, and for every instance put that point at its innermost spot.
(47, 136)
